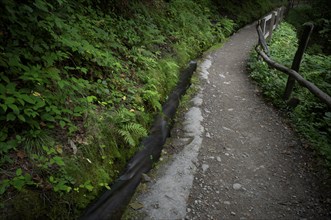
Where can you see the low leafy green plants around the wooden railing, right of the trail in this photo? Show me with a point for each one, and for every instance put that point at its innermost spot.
(312, 118)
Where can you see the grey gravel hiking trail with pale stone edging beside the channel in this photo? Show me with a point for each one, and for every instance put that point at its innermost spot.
(231, 155)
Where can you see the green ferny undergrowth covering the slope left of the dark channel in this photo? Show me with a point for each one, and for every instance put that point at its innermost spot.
(80, 84)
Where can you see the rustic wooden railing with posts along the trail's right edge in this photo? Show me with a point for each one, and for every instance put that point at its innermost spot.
(265, 31)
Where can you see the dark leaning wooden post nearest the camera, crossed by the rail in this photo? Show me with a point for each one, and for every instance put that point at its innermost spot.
(308, 28)
